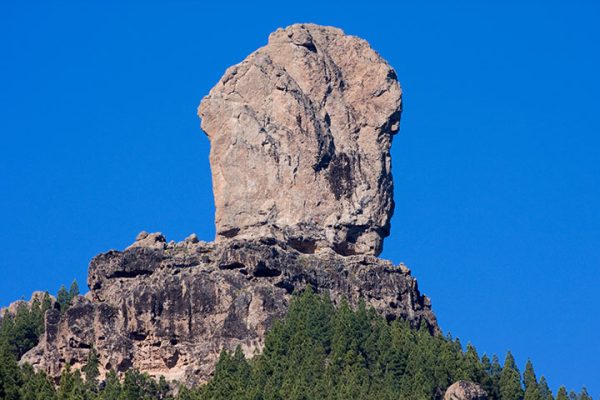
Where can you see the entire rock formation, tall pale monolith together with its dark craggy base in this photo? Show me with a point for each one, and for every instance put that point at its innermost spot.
(300, 137)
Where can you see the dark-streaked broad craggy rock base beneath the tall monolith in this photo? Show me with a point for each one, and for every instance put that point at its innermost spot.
(169, 308)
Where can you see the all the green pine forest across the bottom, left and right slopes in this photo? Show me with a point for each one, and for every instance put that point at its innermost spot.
(315, 352)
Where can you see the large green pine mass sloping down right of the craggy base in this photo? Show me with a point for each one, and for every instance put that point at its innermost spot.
(319, 352)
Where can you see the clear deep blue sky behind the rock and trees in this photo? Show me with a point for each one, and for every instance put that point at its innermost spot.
(496, 167)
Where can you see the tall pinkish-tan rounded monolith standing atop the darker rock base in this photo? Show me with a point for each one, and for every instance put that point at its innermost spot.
(300, 136)
